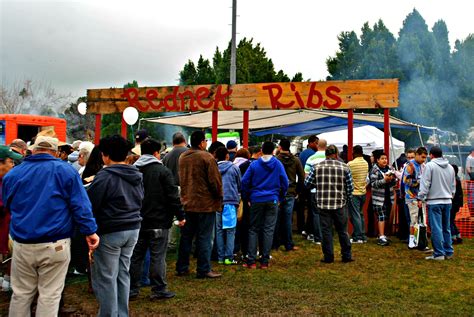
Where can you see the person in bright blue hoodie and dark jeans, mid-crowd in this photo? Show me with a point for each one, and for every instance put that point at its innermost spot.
(265, 185)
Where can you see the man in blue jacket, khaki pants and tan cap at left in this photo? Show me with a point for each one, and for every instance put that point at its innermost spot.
(46, 199)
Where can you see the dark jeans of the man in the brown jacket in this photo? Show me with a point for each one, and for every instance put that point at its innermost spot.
(201, 225)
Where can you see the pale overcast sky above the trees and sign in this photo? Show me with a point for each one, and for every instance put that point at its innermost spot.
(76, 45)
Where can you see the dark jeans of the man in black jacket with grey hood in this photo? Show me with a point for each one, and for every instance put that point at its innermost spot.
(155, 243)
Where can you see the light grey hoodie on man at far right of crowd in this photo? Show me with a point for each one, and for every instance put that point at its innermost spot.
(438, 183)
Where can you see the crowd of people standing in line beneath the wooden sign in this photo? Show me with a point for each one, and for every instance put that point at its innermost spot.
(109, 210)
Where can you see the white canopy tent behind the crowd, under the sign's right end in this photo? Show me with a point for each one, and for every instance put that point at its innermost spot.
(369, 137)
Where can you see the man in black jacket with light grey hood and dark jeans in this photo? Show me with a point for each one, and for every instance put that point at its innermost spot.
(160, 205)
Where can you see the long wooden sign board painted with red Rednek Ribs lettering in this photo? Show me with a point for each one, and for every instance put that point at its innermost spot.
(352, 94)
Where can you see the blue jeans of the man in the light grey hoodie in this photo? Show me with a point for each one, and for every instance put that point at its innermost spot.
(440, 229)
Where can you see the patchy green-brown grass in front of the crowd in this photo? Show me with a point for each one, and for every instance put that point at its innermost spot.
(382, 281)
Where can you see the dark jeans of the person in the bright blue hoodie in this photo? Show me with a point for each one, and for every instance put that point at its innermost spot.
(263, 217)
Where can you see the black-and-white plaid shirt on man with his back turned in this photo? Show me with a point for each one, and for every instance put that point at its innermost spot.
(333, 182)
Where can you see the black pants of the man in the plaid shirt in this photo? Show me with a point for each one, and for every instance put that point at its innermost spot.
(338, 217)
